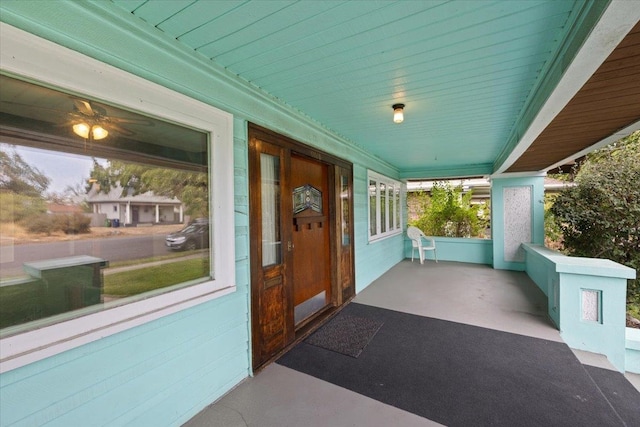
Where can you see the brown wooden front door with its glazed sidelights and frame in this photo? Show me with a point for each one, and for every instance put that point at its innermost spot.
(301, 250)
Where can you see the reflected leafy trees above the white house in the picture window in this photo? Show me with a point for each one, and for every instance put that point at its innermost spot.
(191, 188)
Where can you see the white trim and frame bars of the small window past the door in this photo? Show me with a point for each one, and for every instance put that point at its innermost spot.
(397, 212)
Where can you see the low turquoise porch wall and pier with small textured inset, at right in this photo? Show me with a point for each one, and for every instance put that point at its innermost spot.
(565, 279)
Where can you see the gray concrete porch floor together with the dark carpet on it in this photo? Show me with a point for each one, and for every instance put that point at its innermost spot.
(506, 305)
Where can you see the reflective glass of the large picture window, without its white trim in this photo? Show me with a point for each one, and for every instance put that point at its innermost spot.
(98, 206)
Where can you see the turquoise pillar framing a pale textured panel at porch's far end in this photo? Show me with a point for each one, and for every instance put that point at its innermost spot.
(501, 230)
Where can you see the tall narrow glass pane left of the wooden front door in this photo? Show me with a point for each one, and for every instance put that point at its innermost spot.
(270, 183)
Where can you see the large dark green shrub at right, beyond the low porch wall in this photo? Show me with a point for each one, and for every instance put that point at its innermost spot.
(600, 216)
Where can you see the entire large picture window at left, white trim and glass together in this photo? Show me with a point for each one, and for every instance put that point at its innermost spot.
(115, 207)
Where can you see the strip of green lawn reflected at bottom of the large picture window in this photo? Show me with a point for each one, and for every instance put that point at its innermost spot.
(145, 279)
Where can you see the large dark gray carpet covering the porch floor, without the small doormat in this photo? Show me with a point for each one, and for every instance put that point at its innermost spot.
(461, 375)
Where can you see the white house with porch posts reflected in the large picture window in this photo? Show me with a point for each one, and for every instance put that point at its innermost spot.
(135, 209)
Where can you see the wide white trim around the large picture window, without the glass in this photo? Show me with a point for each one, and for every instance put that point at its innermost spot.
(23, 54)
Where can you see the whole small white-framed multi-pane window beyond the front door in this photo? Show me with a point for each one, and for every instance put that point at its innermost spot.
(384, 206)
